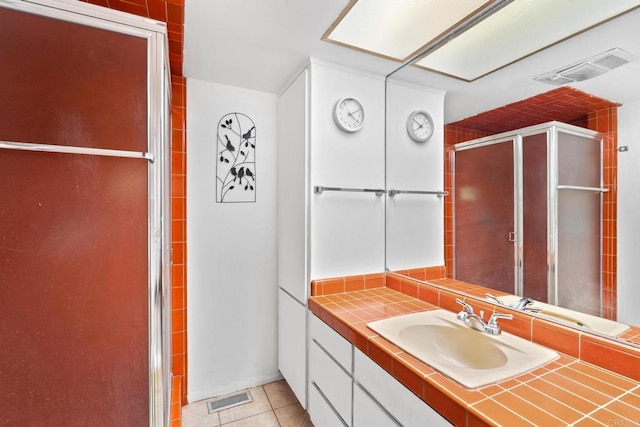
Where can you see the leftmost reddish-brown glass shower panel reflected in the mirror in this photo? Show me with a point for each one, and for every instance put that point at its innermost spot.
(484, 216)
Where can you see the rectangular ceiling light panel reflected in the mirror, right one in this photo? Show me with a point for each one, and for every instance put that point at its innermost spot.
(520, 29)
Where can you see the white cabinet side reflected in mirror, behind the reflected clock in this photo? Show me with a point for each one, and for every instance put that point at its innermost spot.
(415, 222)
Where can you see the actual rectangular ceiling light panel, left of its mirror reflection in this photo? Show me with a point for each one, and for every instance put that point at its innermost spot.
(398, 29)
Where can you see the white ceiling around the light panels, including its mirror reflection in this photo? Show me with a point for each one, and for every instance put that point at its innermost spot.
(261, 44)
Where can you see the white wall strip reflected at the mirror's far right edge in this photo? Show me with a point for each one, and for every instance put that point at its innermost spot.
(628, 211)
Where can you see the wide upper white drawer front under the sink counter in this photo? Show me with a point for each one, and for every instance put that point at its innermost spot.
(399, 401)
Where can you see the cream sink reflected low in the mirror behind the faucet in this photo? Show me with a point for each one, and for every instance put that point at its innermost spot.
(572, 317)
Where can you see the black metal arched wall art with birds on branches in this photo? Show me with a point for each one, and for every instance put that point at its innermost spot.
(236, 159)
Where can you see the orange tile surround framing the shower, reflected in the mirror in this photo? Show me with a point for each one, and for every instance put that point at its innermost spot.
(567, 105)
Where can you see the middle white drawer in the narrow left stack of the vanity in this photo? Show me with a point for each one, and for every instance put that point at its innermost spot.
(334, 383)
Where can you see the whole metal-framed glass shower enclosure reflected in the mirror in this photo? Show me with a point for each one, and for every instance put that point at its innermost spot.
(528, 214)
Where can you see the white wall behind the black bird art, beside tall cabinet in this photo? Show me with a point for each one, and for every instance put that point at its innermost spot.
(231, 250)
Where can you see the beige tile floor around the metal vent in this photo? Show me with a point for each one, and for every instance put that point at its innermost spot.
(274, 405)
